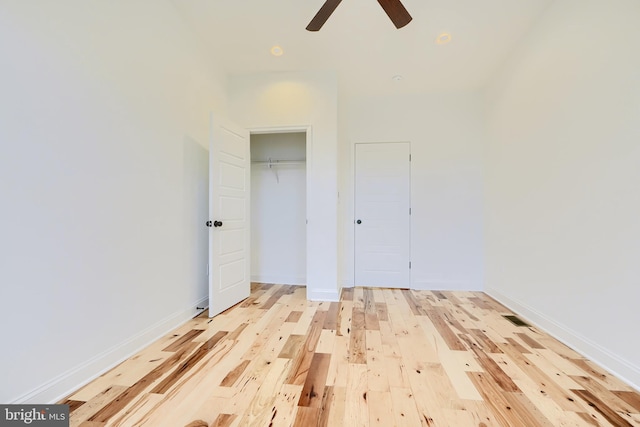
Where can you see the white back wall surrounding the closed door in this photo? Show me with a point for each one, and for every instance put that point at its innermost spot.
(446, 133)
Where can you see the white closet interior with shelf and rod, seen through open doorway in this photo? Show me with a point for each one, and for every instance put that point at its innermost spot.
(278, 209)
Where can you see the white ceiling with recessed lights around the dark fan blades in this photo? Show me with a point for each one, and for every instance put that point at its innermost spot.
(361, 44)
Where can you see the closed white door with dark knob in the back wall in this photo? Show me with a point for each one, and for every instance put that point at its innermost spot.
(382, 214)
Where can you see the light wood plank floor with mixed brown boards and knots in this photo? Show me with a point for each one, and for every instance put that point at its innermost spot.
(380, 357)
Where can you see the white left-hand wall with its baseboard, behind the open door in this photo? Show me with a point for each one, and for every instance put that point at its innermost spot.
(104, 118)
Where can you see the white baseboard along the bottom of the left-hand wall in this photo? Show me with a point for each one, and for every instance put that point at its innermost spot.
(66, 383)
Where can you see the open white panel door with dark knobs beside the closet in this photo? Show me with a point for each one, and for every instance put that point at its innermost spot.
(229, 239)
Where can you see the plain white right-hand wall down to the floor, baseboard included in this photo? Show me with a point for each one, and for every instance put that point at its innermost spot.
(563, 174)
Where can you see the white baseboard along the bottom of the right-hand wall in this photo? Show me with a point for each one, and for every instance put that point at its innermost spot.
(618, 366)
